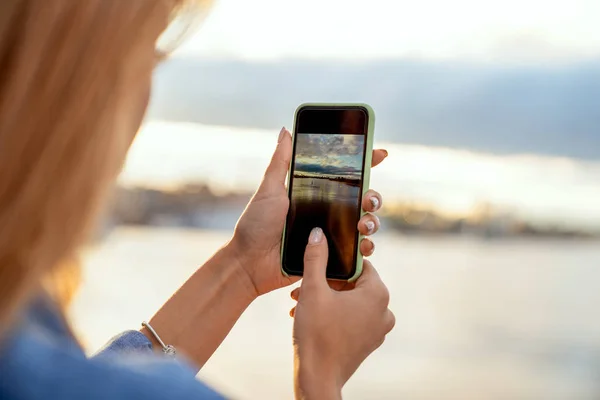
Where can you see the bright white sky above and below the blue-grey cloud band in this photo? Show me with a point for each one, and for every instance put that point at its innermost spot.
(544, 32)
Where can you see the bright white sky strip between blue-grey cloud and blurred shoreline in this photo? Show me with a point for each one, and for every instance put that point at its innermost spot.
(536, 188)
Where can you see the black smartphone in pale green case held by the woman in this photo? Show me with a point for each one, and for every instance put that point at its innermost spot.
(329, 174)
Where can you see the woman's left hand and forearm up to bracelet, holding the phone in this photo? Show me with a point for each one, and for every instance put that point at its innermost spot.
(214, 297)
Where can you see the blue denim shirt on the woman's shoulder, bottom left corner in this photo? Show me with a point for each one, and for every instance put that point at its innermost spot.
(42, 360)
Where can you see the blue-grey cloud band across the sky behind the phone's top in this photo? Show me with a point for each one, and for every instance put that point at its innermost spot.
(486, 107)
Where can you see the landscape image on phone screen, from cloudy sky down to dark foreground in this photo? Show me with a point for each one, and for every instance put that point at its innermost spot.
(326, 193)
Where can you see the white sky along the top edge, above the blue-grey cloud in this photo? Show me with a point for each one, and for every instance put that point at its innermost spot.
(507, 31)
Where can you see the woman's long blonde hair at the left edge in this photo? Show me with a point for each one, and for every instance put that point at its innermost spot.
(72, 80)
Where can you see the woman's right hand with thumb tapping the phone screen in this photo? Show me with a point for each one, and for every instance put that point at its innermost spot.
(335, 331)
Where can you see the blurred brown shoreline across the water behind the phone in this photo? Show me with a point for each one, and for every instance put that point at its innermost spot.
(196, 206)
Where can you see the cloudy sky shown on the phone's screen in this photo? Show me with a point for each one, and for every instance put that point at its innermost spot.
(339, 155)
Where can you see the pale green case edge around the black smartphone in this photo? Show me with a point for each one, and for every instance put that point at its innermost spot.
(366, 177)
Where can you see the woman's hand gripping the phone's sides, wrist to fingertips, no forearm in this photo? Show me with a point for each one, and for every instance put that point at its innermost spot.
(257, 238)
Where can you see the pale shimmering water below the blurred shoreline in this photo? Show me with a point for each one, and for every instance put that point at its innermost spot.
(476, 318)
